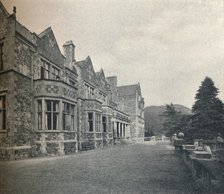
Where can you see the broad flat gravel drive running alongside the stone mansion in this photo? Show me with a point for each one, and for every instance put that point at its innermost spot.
(136, 168)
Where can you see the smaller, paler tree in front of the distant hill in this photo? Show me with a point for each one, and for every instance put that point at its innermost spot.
(172, 119)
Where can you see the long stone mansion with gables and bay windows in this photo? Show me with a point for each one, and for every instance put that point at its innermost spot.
(51, 104)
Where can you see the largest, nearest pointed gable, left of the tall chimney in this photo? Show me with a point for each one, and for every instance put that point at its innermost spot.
(48, 47)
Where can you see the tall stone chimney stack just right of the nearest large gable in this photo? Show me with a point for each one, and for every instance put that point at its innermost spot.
(69, 52)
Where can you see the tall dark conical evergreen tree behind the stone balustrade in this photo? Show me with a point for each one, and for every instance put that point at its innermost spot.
(208, 112)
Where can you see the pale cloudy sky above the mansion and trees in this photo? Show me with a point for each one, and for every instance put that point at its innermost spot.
(168, 46)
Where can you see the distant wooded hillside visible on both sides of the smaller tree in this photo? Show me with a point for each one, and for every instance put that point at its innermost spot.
(154, 119)
